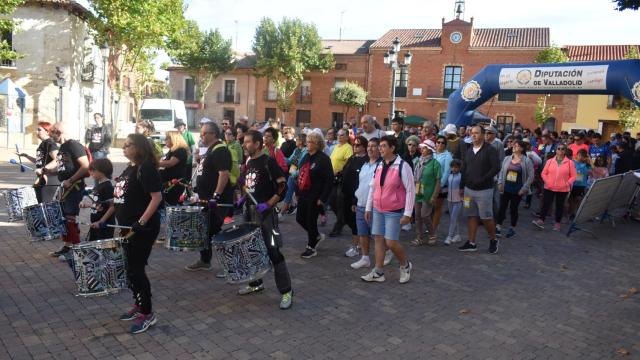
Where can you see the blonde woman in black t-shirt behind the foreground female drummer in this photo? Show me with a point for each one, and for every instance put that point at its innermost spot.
(174, 165)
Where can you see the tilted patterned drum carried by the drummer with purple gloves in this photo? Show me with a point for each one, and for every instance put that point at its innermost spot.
(242, 253)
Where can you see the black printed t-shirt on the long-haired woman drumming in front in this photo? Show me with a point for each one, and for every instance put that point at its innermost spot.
(132, 192)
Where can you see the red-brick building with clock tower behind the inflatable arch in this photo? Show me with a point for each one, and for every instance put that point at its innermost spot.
(442, 60)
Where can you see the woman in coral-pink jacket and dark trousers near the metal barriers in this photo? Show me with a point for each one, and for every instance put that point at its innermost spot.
(558, 175)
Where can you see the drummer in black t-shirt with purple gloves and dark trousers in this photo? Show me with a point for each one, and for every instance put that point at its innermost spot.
(266, 182)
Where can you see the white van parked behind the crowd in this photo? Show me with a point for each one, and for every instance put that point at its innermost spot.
(164, 113)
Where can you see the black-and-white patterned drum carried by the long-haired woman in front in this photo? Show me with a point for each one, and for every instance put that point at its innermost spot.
(100, 267)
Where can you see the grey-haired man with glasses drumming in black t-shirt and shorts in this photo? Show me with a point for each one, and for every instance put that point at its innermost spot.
(213, 185)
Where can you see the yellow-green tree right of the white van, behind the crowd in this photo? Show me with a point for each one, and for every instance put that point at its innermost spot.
(205, 55)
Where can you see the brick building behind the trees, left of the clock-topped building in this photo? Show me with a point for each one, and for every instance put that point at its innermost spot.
(313, 104)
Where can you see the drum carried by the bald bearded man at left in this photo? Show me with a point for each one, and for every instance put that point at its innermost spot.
(45, 221)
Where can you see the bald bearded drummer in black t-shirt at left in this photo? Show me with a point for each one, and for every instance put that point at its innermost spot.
(72, 168)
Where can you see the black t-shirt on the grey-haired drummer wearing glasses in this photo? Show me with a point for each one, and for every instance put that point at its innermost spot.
(215, 160)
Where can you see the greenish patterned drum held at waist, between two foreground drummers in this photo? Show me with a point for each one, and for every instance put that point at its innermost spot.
(187, 228)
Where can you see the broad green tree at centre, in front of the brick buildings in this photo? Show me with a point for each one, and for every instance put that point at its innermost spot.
(284, 53)
